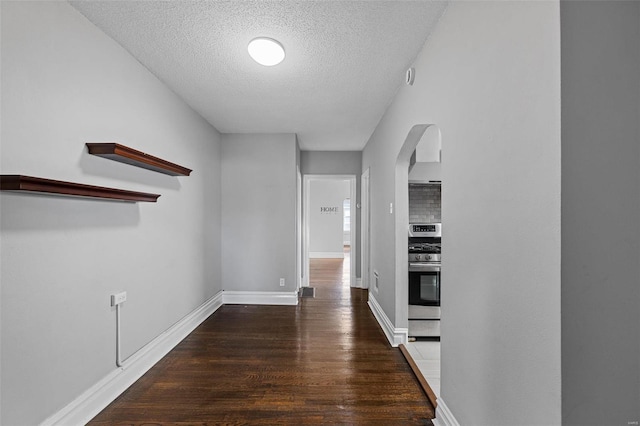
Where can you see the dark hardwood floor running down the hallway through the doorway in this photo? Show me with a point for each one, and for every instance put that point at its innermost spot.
(325, 361)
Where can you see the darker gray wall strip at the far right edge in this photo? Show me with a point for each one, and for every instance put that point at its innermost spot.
(600, 212)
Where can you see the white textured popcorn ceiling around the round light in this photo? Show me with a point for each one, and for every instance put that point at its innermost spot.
(345, 60)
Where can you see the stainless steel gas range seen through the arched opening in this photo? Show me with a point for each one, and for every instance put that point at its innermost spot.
(424, 279)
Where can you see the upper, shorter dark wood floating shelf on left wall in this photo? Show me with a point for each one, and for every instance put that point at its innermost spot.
(124, 154)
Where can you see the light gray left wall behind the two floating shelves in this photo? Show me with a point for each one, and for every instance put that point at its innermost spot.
(65, 83)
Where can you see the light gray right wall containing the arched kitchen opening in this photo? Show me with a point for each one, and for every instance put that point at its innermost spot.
(489, 77)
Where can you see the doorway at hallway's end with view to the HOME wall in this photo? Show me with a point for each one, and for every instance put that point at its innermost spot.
(327, 231)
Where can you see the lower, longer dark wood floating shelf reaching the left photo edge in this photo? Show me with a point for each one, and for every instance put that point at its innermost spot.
(48, 186)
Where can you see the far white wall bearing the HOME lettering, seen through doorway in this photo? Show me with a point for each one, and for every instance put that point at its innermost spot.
(326, 237)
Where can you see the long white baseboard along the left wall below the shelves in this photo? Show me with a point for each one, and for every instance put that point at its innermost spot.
(97, 397)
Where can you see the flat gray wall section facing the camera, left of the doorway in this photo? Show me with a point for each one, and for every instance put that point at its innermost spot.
(259, 212)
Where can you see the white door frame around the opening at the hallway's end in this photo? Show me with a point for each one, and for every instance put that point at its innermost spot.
(305, 223)
